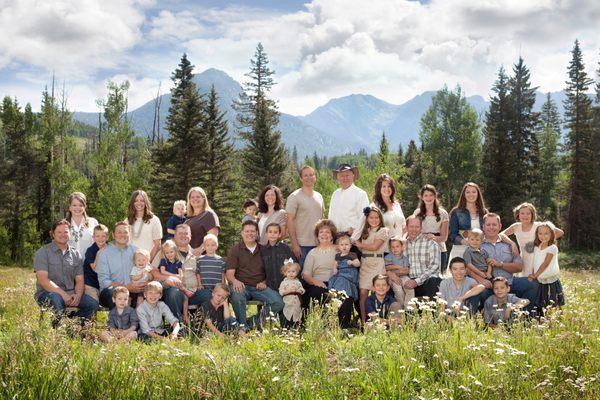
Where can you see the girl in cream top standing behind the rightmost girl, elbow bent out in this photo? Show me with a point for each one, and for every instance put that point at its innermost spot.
(524, 231)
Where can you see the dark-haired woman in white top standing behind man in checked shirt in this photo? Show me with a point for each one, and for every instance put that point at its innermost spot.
(434, 220)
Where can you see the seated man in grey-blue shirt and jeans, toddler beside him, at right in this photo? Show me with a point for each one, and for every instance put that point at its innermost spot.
(505, 263)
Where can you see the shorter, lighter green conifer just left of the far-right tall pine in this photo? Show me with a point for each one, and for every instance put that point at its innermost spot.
(549, 164)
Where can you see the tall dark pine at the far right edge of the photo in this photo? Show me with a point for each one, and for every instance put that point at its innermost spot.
(581, 224)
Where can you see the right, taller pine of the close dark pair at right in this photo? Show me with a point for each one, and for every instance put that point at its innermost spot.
(523, 122)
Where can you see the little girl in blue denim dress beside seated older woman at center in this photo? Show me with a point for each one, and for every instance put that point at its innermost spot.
(345, 279)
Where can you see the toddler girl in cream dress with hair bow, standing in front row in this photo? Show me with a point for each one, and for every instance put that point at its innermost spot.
(291, 289)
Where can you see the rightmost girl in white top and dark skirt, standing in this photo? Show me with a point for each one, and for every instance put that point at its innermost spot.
(545, 267)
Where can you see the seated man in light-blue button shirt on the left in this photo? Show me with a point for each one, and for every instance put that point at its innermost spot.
(114, 266)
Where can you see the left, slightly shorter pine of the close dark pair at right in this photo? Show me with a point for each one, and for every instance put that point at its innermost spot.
(495, 161)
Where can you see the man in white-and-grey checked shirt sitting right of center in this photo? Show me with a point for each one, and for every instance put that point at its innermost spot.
(424, 259)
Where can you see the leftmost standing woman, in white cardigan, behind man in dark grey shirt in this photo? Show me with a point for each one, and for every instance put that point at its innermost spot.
(82, 226)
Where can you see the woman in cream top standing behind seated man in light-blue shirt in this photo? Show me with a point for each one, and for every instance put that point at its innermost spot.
(145, 229)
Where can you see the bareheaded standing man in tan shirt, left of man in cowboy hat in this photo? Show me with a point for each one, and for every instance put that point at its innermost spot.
(304, 208)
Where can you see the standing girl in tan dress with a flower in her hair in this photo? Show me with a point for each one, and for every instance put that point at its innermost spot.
(372, 243)
